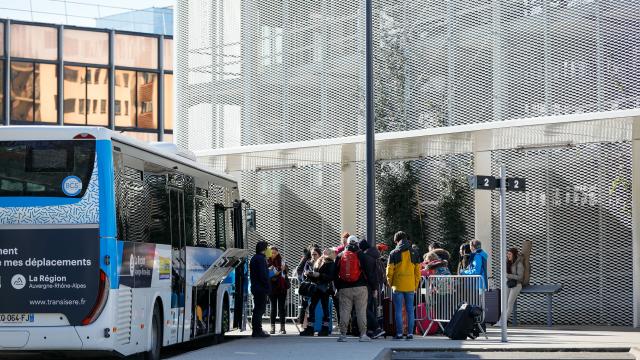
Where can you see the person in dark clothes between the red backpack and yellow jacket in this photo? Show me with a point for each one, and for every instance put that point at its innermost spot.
(374, 330)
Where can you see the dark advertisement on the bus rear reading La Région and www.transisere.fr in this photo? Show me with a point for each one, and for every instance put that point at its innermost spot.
(49, 271)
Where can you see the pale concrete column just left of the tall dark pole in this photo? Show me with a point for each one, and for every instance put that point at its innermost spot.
(348, 193)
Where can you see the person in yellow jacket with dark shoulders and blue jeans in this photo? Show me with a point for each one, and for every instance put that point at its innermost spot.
(403, 275)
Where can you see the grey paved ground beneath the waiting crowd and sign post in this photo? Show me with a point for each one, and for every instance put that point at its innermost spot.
(524, 343)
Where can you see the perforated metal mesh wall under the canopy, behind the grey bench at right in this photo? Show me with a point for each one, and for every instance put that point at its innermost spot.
(578, 219)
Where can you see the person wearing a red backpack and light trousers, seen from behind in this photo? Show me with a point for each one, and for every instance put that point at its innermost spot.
(354, 274)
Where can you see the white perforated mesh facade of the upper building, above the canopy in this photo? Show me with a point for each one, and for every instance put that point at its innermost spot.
(261, 72)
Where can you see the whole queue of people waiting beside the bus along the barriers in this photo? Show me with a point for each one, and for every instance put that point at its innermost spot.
(352, 275)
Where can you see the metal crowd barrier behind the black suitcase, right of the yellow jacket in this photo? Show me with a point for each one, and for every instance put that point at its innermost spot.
(442, 295)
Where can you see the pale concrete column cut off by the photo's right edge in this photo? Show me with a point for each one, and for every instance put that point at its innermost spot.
(635, 211)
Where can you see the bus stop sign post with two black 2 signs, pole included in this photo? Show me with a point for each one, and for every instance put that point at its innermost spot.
(503, 184)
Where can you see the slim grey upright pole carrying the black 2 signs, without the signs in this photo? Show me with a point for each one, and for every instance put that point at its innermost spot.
(503, 253)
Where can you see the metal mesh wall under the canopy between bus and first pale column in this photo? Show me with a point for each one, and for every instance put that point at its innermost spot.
(296, 207)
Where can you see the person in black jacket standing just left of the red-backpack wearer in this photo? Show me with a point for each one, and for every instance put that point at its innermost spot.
(322, 275)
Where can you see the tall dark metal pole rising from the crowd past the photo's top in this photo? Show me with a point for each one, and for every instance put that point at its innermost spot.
(370, 129)
